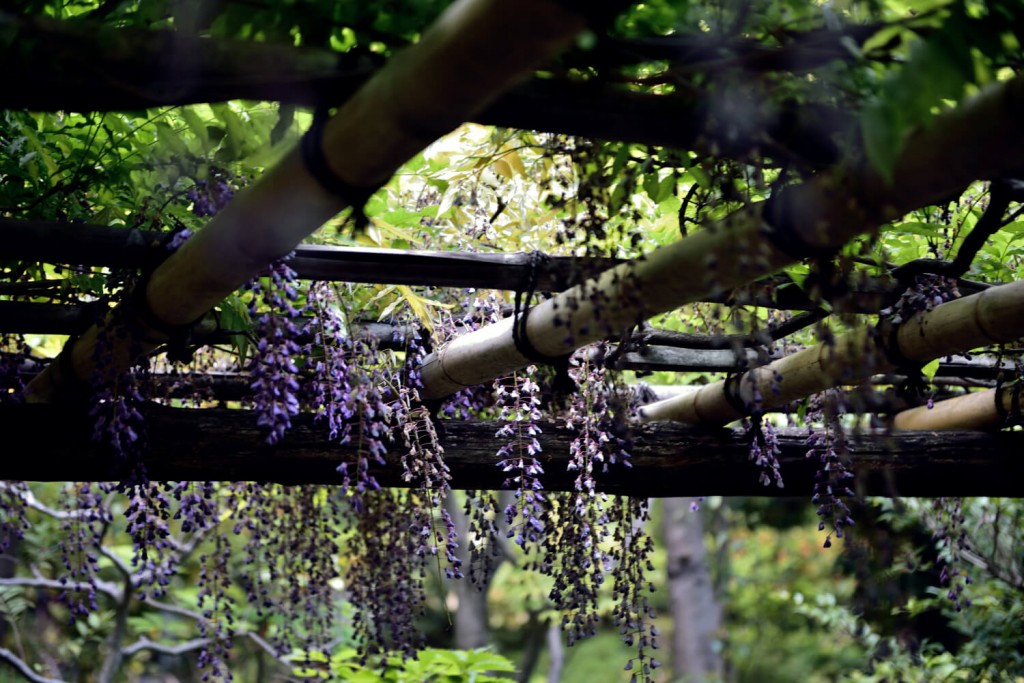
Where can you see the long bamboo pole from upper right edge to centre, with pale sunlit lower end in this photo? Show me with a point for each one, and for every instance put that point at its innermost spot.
(984, 138)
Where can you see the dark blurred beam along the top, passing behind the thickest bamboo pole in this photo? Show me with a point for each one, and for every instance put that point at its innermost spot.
(72, 67)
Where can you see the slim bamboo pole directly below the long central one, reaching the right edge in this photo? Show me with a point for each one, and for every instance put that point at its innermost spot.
(992, 317)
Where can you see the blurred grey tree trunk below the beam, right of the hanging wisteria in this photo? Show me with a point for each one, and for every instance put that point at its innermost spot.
(697, 617)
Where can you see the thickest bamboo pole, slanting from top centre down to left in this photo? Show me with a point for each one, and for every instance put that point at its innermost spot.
(476, 51)
